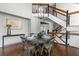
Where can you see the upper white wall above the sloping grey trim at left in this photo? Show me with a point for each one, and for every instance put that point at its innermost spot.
(20, 9)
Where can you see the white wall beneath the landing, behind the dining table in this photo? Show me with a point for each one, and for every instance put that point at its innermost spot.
(35, 24)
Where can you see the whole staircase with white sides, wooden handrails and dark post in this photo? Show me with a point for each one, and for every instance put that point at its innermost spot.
(62, 35)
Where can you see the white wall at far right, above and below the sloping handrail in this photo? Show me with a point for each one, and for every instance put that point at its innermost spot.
(71, 7)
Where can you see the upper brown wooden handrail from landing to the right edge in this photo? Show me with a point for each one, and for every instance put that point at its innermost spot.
(60, 11)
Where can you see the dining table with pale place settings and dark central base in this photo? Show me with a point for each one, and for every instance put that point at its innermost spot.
(39, 43)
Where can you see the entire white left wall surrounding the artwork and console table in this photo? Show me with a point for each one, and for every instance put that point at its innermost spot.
(18, 9)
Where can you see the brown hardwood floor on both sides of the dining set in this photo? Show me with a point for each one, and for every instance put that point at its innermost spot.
(58, 50)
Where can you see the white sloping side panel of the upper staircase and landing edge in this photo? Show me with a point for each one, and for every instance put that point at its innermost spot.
(53, 18)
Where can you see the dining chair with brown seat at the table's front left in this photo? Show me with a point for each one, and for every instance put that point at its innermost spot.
(27, 46)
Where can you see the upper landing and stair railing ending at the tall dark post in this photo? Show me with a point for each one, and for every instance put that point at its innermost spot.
(48, 9)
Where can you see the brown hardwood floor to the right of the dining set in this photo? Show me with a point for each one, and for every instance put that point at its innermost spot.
(62, 50)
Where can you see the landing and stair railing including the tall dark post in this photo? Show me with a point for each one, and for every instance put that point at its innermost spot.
(54, 11)
